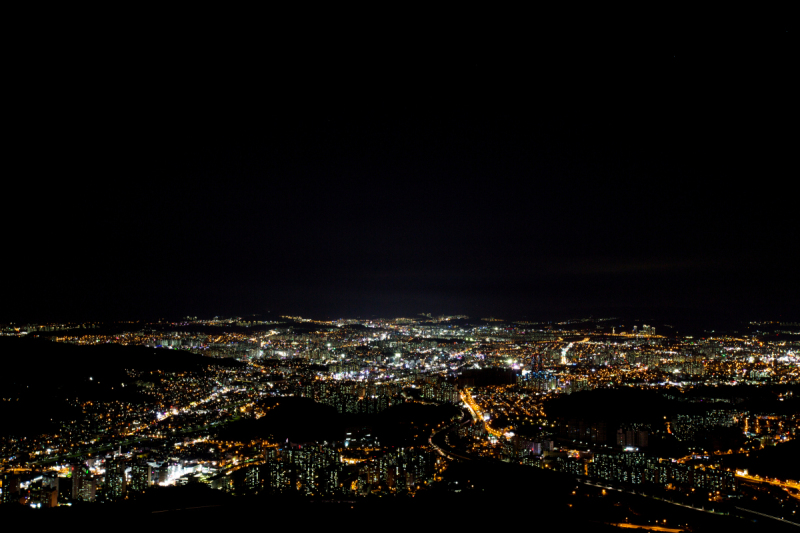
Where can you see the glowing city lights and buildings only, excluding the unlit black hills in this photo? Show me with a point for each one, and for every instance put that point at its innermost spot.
(507, 384)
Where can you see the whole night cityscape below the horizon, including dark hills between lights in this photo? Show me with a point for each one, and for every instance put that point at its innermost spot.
(353, 410)
